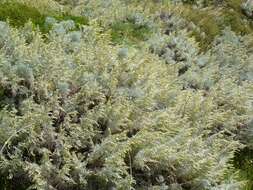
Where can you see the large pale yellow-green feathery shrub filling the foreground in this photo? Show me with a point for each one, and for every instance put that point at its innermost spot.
(85, 119)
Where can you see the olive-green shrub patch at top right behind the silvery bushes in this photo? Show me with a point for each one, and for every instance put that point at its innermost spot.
(212, 22)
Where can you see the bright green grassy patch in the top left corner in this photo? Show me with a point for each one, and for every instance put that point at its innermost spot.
(18, 14)
